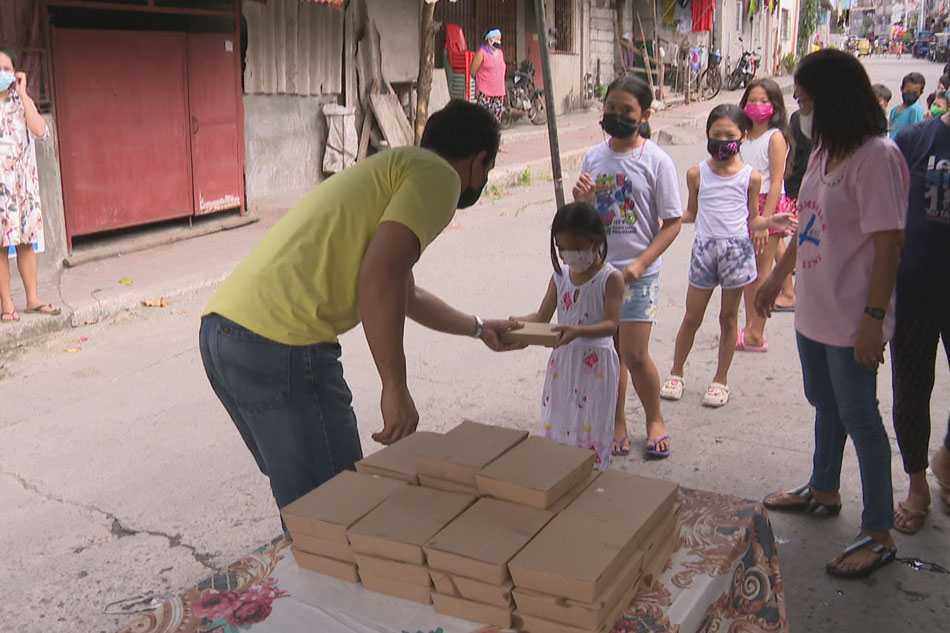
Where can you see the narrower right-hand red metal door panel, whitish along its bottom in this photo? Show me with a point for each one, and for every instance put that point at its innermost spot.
(216, 122)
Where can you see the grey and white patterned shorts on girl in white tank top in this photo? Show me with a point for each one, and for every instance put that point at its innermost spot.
(727, 262)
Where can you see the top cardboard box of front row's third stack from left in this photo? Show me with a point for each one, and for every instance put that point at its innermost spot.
(480, 542)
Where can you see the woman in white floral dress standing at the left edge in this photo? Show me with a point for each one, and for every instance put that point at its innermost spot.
(21, 224)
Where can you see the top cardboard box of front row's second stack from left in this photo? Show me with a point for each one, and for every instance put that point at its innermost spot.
(399, 527)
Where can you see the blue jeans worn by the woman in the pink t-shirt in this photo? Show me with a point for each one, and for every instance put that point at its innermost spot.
(844, 395)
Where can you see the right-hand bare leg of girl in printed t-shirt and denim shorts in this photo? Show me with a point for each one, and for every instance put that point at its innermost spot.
(635, 353)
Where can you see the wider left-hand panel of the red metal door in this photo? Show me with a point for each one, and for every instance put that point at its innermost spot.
(122, 118)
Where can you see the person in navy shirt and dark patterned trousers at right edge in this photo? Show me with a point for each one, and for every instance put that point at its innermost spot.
(923, 314)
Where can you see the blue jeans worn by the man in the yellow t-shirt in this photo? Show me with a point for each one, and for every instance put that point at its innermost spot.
(290, 404)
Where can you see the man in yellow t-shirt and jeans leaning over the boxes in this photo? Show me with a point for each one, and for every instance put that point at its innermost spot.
(344, 254)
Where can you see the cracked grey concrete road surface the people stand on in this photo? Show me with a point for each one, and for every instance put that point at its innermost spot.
(122, 476)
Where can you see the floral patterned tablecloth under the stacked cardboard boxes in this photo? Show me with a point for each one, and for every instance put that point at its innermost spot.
(723, 576)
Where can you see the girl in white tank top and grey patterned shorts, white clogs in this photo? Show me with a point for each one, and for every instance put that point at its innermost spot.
(724, 204)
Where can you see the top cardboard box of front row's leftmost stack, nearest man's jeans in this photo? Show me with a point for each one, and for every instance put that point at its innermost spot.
(326, 512)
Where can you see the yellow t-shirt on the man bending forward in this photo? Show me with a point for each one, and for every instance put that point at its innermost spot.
(299, 286)
